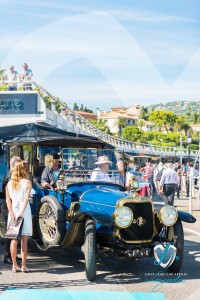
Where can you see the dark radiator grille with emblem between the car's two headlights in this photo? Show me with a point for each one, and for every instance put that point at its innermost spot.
(142, 228)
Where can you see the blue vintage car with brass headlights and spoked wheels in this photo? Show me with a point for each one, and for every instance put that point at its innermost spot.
(93, 206)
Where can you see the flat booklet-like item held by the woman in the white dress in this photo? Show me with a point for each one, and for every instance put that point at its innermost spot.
(14, 229)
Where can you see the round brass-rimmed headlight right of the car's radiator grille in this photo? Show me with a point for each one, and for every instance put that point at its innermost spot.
(168, 215)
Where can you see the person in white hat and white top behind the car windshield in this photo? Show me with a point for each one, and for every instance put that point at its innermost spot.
(100, 173)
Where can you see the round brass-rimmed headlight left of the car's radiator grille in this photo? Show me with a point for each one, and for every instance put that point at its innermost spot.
(123, 216)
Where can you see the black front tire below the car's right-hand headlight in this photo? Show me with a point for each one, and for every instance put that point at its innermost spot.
(178, 240)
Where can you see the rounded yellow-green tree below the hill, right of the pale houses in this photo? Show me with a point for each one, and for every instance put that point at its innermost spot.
(163, 118)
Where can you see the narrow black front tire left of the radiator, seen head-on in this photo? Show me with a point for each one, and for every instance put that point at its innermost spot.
(90, 250)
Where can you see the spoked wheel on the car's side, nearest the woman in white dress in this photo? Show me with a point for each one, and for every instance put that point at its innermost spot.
(51, 221)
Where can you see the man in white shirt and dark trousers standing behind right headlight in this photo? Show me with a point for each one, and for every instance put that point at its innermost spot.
(168, 184)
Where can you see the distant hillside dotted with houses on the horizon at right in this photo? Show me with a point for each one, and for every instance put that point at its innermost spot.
(178, 107)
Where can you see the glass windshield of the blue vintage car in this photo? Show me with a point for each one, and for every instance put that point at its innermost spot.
(95, 165)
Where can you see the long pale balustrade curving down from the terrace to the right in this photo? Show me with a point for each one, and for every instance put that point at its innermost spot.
(85, 125)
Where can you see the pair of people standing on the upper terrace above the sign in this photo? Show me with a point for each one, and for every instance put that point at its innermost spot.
(12, 77)
